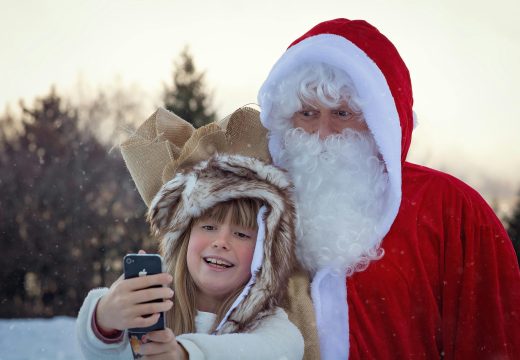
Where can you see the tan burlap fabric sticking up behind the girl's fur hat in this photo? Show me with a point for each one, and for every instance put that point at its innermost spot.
(165, 143)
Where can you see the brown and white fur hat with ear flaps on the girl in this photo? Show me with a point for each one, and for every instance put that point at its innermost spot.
(222, 178)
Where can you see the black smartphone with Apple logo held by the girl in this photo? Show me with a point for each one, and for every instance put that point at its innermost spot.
(136, 265)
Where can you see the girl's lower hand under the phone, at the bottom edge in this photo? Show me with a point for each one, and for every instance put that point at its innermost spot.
(161, 344)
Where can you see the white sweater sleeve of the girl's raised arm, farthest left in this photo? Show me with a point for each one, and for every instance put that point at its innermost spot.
(91, 346)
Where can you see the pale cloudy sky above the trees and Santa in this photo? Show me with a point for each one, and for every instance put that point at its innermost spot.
(463, 57)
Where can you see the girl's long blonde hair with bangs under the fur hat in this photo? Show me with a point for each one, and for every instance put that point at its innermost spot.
(181, 318)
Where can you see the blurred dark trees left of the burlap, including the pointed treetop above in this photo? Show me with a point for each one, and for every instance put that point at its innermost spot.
(69, 210)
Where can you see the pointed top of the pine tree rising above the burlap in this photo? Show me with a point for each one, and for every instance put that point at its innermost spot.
(188, 97)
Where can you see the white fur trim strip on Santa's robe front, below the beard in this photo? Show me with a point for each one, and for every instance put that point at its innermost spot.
(329, 296)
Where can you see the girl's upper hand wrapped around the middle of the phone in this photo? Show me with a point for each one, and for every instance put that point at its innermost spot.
(125, 304)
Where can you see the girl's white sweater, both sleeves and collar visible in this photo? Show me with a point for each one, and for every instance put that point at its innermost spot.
(274, 338)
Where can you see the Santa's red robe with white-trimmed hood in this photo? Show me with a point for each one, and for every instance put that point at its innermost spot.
(448, 284)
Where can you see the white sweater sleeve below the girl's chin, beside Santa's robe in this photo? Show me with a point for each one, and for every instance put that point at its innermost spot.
(274, 338)
